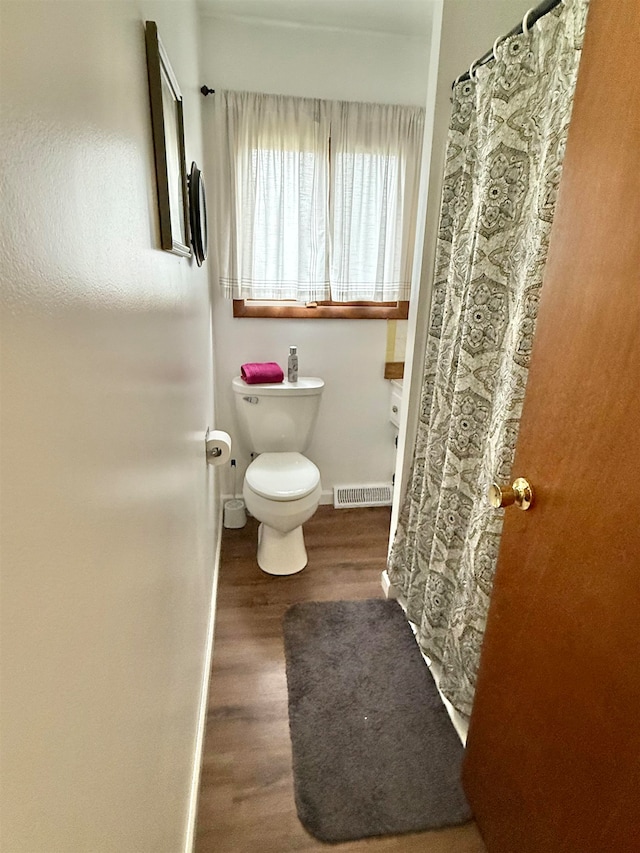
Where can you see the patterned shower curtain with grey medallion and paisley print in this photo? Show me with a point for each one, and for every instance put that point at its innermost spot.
(503, 163)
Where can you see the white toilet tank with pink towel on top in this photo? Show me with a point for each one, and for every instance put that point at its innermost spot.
(279, 416)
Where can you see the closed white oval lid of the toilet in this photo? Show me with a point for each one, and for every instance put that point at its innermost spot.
(282, 476)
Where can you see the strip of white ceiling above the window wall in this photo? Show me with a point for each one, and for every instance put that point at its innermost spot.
(404, 17)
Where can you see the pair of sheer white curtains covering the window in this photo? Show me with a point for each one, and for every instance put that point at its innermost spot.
(315, 200)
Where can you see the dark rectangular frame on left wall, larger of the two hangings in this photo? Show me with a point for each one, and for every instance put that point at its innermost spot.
(168, 143)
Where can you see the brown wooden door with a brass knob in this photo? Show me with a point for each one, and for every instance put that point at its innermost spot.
(553, 755)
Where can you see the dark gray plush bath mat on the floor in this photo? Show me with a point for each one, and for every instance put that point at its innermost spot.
(374, 750)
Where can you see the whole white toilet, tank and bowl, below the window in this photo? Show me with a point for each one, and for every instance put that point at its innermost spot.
(281, 486)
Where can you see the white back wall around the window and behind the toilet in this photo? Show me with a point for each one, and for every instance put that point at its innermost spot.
(354, 441)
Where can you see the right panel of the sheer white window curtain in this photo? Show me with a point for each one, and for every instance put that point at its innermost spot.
(375, 160)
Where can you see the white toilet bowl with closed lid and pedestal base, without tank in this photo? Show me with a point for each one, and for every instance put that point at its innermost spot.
(282, 490)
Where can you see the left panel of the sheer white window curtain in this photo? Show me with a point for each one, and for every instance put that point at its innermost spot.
(272, 207)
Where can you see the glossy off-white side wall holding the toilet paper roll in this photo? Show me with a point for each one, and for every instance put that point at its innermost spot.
(108, 512)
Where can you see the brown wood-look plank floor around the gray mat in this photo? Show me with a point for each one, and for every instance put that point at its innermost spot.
(246, 796)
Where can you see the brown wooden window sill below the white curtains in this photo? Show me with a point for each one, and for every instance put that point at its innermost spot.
(325, 310)
